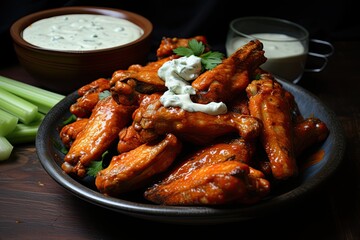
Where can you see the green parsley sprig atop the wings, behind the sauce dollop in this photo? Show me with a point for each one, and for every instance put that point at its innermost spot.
(209, 60)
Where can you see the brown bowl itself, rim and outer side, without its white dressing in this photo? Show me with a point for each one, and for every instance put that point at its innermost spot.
(65, 71)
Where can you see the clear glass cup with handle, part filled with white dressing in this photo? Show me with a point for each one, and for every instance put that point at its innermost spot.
(286, 45)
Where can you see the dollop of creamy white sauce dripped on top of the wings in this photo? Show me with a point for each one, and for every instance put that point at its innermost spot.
(177, 74)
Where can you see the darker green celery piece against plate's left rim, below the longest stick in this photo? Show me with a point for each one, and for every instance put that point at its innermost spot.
(25, 133)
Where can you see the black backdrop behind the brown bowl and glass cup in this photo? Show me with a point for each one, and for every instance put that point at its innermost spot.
(326, 20)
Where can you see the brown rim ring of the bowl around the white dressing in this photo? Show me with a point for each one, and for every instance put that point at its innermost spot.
(19, 25)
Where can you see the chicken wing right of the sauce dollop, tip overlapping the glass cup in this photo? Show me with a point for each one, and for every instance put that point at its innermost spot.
(224, 82)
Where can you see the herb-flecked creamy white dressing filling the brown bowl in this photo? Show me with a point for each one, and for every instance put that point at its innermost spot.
(81, 32)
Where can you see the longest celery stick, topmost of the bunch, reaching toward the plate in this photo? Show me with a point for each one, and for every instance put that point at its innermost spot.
(44, 99)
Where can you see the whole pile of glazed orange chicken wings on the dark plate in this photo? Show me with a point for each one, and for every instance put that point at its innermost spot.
(177, 157)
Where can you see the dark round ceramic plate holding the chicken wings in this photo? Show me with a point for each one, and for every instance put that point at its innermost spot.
(310, 179)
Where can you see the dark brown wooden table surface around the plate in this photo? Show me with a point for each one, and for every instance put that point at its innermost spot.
(34, 206)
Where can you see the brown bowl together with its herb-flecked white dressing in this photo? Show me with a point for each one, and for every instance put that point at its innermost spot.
(66, 48)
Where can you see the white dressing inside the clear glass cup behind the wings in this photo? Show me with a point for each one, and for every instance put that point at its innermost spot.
(286, 56)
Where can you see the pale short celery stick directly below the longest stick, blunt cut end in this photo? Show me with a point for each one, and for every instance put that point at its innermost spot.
(24, 110)
